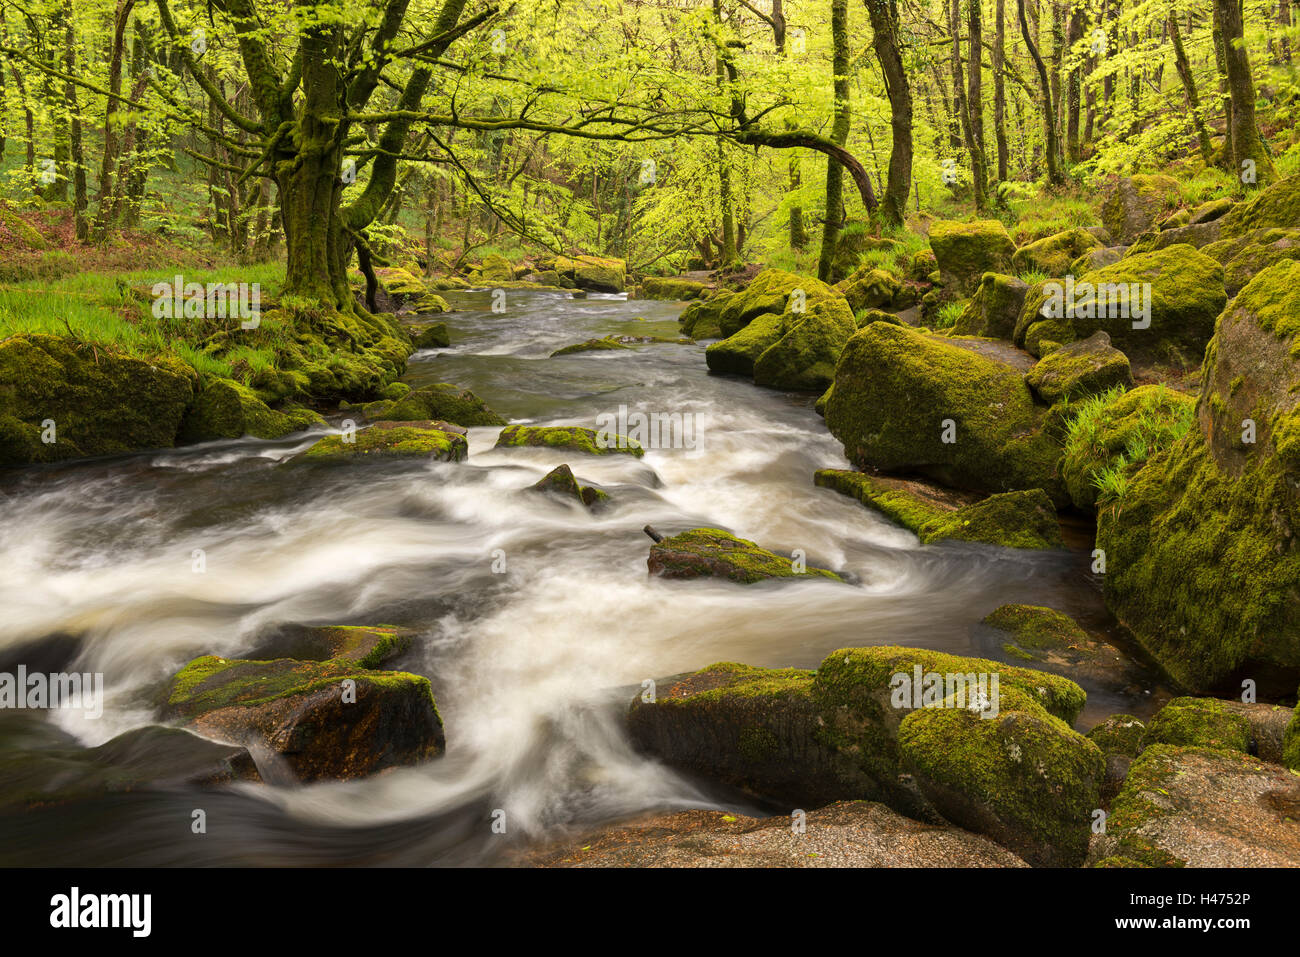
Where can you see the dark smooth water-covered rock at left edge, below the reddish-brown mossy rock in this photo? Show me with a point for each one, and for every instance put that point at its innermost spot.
(37, 774)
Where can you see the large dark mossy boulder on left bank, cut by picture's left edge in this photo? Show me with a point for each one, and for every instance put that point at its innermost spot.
(86, 400)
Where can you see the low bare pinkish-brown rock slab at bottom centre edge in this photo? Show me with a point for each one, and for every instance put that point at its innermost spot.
(842, 835)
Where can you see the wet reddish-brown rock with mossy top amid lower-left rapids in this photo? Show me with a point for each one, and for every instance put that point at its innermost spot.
(324, 720)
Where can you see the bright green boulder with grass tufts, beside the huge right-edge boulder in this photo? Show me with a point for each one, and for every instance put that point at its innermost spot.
(1119, 431)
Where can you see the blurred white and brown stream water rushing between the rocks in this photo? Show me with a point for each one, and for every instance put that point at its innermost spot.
(538, 621)
